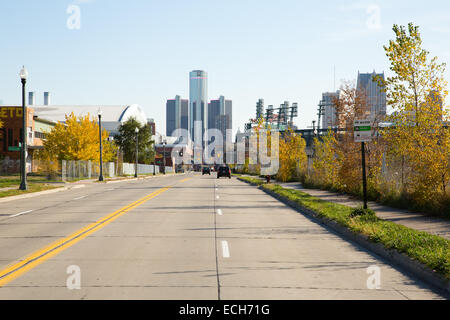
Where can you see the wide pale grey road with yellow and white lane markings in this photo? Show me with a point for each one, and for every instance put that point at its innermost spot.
(182, 237)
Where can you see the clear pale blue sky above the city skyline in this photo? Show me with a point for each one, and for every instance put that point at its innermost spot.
(141, 51)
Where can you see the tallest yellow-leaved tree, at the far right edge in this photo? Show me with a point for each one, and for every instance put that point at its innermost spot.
(417, 139)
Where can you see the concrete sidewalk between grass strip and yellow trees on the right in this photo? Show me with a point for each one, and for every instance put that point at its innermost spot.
(418, 221)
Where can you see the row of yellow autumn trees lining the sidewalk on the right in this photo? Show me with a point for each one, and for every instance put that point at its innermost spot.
(407, 162)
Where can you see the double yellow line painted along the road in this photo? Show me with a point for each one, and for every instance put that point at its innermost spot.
(15, 270)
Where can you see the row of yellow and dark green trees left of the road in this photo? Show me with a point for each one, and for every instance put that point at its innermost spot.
(78, 138)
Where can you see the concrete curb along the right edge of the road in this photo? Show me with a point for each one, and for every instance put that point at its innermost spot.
(411, 266)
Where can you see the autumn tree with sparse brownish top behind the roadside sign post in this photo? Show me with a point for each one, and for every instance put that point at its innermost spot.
(337, 158)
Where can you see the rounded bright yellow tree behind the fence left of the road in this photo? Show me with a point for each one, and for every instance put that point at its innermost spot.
(77, 139)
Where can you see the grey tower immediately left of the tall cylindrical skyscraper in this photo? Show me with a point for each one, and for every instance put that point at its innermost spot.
(177, 113)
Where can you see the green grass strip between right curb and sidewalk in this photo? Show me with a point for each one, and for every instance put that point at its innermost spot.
(431, 250)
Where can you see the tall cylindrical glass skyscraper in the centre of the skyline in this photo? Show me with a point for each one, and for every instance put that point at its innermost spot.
(198, 100)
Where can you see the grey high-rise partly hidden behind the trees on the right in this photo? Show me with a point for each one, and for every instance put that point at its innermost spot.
(376, 97)
